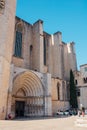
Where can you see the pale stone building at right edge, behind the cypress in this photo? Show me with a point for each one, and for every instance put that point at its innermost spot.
(81, 83)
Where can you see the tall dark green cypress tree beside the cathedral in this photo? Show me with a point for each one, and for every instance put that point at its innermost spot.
(73, 95)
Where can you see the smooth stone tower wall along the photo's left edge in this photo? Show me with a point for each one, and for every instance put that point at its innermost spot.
(7, 21)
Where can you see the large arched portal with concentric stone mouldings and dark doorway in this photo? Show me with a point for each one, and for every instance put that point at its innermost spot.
(27, 95)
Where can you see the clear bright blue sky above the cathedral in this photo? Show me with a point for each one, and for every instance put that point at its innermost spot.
(67, 16)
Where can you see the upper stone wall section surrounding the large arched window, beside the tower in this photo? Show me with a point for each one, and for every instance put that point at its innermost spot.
(26, 59)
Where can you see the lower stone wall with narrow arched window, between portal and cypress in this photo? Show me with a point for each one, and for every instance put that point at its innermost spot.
(62, 103)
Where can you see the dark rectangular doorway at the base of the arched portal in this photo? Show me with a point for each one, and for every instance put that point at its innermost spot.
(19, 108)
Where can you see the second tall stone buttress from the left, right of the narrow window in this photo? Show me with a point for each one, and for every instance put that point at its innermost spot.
(57, 55)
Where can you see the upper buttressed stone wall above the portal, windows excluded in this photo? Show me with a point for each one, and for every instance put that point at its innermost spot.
(58, 53)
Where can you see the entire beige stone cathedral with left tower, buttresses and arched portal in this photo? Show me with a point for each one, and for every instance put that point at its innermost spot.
(34, 67)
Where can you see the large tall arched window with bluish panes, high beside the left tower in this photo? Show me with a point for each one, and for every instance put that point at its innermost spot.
(18, 41)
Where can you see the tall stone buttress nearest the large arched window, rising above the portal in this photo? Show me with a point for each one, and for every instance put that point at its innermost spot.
(37, 63)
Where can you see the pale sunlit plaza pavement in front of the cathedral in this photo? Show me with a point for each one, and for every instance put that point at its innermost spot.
(63, 123)
